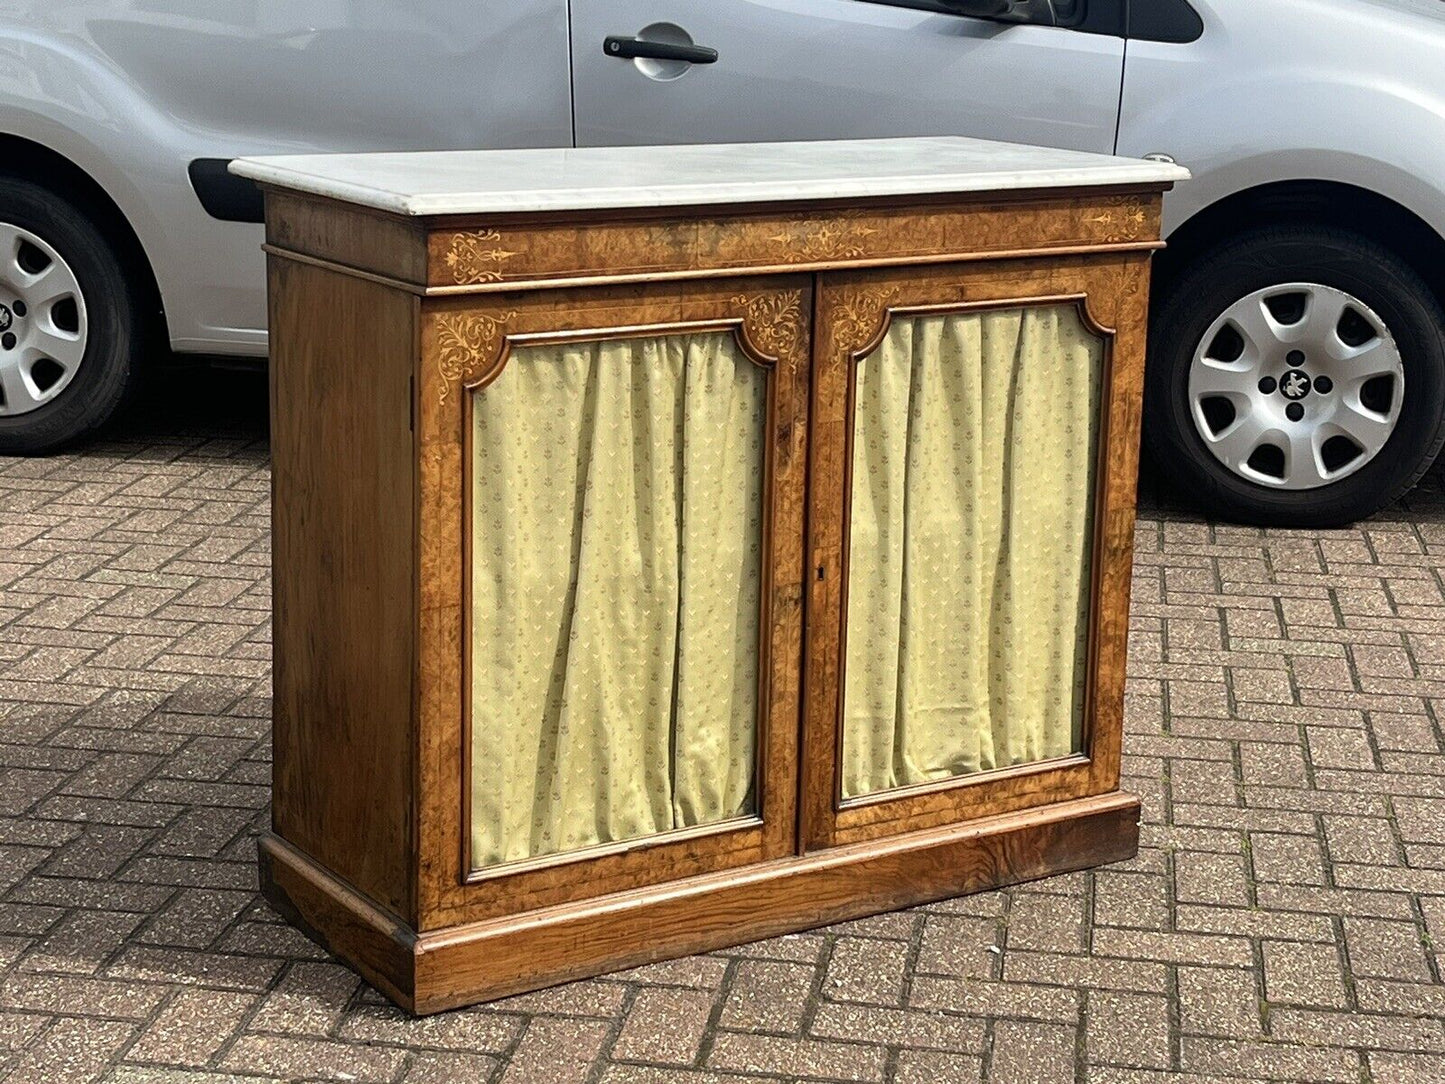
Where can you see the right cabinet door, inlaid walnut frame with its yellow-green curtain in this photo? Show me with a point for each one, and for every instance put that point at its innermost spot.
(970, 527)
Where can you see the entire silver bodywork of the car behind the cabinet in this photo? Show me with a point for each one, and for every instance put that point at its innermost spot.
(134, 90)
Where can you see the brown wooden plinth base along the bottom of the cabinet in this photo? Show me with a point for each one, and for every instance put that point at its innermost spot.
(444, 969)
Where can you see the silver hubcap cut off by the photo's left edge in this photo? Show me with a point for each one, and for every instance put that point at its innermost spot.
(43, 322)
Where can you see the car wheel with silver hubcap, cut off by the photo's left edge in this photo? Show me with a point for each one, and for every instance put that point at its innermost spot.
(70, 323)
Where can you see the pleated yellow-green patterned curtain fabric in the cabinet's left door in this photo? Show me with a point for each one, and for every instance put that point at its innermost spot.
(618, 530)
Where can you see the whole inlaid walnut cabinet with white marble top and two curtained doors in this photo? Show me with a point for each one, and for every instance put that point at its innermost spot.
(664, 569)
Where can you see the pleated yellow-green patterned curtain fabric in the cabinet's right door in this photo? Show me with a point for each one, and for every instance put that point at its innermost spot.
(969, 569)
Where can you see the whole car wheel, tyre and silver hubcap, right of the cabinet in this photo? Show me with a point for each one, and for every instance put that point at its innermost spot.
(1297, 378)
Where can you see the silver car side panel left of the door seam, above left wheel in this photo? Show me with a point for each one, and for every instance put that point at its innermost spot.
(134, 92)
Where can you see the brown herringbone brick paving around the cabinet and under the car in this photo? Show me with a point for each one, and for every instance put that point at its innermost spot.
(1281, 923)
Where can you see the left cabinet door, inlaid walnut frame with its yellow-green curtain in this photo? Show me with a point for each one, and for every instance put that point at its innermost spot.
(611, 525)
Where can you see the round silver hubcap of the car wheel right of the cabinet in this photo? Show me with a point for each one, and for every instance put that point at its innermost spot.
(1297, 387)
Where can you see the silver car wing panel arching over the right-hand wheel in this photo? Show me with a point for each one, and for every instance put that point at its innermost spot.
(1350, 92)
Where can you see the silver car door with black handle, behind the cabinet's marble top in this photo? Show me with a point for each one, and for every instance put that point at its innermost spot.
(845, 70)
